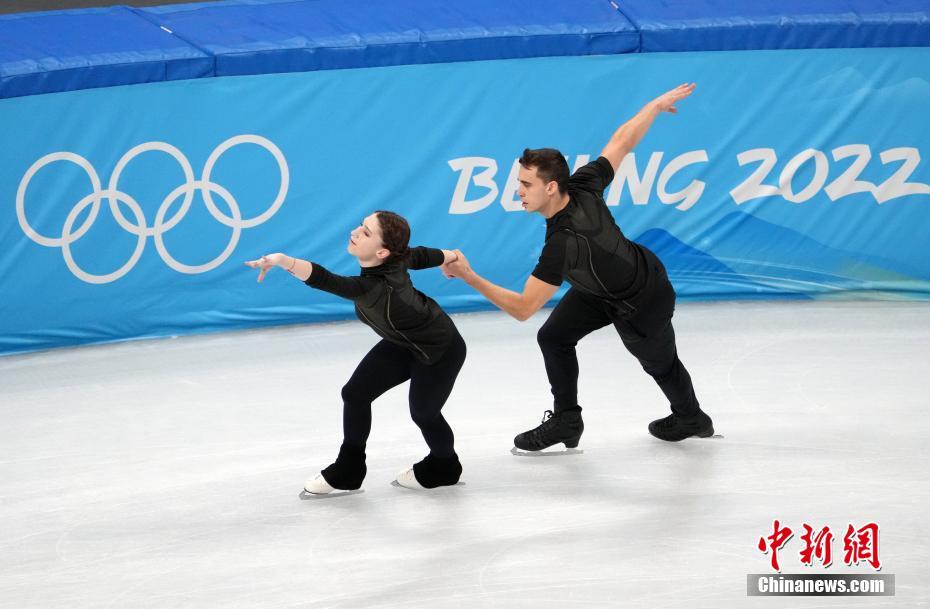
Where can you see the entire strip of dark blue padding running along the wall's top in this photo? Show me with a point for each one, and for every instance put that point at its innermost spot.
(92, 48)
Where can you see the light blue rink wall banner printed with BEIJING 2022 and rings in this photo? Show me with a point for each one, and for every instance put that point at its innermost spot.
(781, 177)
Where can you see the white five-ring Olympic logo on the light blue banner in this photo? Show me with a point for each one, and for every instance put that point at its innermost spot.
(161, 225)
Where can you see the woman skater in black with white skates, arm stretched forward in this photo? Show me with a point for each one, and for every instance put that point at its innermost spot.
(419, 342)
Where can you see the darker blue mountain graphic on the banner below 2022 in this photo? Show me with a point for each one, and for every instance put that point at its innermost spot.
(742, 255)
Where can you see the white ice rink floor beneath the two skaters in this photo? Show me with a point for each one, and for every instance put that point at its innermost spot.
(165, 473)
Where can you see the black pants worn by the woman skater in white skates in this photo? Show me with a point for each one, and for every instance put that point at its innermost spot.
(388, 365)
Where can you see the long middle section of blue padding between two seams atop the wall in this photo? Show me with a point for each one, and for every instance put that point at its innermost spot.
(249, 37)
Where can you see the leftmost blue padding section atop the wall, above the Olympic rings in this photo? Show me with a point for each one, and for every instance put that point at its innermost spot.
(85, 49)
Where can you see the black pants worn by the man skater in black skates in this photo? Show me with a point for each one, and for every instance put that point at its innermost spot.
(648, 335)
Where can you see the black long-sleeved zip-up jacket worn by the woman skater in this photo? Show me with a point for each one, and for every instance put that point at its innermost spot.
(386, 300)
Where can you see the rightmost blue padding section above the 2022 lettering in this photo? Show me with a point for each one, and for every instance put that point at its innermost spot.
(715, 25)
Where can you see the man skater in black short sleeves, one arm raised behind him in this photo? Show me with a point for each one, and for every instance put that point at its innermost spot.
(614, 281)
